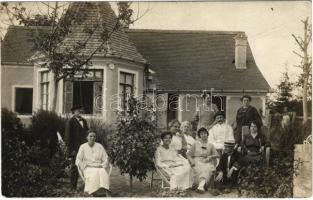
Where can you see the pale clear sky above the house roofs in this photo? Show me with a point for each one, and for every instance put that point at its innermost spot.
(269, 26)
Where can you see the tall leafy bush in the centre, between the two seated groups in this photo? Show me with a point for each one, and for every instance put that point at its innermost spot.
(134, 144)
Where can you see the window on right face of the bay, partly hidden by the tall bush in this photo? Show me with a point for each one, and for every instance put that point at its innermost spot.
(126, 87)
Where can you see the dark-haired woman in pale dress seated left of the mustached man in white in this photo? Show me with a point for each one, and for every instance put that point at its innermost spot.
(203, 157)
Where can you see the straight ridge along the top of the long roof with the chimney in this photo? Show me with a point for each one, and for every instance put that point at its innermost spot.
(183, 31)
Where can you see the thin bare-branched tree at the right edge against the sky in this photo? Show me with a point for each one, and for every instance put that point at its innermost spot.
(305, 65)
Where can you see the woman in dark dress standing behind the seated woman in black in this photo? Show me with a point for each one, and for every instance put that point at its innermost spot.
(245, 115)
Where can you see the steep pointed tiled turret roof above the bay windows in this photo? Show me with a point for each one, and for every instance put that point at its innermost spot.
(101, 15)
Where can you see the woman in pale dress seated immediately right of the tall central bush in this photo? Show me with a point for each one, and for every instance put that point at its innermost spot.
(173, 165)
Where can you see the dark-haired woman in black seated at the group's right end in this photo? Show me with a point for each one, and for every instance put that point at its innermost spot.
(254, 144)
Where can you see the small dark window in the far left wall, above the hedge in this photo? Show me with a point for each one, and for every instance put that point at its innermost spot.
(23, 101)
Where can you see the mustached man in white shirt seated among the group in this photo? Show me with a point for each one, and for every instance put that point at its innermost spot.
(220, 132)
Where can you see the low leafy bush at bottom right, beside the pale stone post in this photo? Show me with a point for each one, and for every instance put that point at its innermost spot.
(275, 181)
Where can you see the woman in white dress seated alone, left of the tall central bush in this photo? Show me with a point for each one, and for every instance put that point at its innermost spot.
(93, 166)
